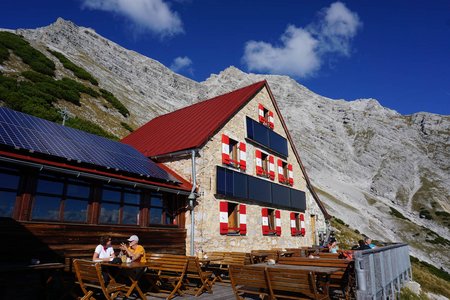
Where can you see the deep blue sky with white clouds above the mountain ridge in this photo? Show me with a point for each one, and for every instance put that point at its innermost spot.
(397, 52)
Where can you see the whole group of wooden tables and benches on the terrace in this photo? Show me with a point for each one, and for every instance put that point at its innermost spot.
(265, 274)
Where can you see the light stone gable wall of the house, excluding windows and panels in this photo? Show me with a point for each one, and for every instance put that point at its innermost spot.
(207, 230)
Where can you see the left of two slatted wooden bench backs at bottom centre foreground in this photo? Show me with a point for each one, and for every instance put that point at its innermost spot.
(248, 280)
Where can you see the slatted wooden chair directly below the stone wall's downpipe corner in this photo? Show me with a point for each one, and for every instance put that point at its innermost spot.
(197, 280)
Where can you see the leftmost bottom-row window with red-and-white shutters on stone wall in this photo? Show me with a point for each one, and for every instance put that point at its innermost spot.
(233, 219)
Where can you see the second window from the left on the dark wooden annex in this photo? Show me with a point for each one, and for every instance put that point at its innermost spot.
(60, 199)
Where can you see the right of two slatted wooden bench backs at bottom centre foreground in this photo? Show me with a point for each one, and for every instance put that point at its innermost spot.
(293, 284)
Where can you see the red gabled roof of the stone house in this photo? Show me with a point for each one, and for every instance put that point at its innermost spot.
(192, 126)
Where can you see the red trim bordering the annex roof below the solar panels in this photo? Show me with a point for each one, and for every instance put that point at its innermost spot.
(184, 186)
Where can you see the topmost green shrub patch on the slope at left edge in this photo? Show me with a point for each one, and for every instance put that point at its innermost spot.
(29, 55)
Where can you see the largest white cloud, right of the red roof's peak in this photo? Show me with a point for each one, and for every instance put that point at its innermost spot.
(302, 50)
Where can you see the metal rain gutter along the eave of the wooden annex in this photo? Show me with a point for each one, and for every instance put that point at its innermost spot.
(92, 176)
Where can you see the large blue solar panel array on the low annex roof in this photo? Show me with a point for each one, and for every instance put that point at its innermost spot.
(23, 131)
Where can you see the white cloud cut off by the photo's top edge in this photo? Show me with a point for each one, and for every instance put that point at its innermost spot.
(153, 15)
